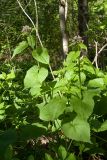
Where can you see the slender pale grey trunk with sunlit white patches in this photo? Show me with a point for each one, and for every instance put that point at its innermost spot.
(63, 7)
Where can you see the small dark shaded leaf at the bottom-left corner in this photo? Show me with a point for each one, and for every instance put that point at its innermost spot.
(8, 153)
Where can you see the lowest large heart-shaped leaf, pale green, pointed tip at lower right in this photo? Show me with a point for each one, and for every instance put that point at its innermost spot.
(78, 130)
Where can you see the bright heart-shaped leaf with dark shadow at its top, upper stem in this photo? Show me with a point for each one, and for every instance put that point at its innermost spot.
(41, 55)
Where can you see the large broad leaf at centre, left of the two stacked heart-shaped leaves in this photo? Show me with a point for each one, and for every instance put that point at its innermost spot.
(53, 109)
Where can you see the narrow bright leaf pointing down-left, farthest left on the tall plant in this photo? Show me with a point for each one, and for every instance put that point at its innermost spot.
(20, 48)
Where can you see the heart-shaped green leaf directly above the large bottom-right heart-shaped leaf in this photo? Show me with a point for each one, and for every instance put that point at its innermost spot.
(83, 107)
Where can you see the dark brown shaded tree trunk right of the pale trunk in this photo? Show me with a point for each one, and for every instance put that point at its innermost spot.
(83, 20)
